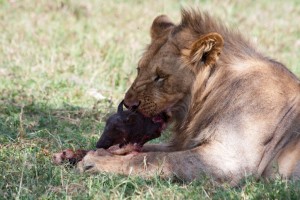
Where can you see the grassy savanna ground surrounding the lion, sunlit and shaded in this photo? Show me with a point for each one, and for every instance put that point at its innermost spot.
(64, 66)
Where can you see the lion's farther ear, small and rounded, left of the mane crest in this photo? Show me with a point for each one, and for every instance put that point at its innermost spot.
(160, 25)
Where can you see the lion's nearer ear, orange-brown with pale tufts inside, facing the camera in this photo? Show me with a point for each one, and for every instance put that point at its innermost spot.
(205, 51)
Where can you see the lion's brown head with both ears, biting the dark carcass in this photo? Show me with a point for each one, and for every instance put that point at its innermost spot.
(168, 68)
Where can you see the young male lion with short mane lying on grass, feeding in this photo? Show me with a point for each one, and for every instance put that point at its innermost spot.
(235, 112)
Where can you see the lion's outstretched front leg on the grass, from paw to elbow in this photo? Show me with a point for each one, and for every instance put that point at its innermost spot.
(186, 165)
